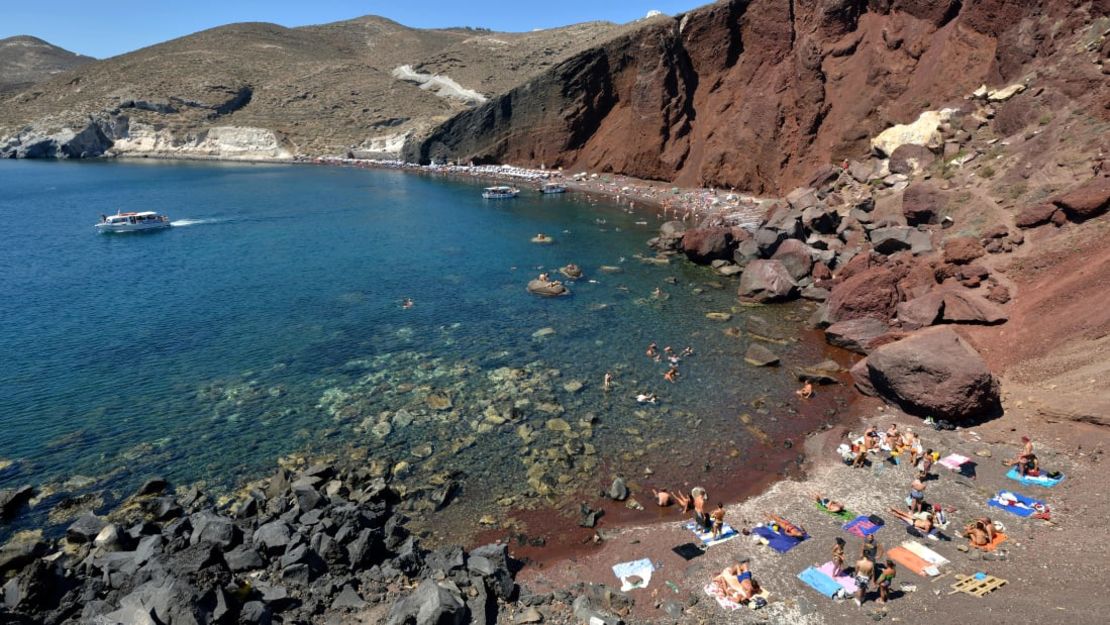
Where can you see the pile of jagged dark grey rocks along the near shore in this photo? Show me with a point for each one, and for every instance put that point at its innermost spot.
(290, 549)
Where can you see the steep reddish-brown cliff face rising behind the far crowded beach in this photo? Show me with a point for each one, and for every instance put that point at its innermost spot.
(756, 94)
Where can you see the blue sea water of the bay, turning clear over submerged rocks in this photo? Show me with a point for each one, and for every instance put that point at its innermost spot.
(268, 322)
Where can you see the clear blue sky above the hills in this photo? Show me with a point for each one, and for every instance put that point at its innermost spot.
(106, 29)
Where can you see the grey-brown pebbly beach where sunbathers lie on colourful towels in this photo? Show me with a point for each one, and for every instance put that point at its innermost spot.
(1053, 568)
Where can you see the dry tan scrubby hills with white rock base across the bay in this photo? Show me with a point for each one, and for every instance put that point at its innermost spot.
(260, 90)
